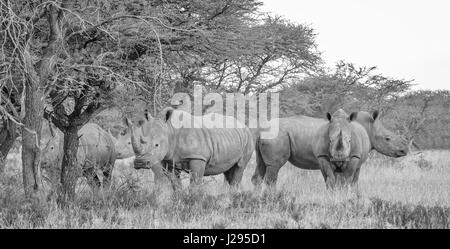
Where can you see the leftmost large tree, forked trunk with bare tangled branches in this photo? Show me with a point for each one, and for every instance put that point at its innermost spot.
(31, 40)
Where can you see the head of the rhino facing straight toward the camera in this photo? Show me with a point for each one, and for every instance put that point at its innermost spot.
(340, 134)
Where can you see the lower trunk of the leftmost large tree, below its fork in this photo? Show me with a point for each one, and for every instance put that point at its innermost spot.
(31, 135)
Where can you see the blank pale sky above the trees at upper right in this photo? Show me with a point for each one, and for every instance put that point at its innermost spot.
(404, 39)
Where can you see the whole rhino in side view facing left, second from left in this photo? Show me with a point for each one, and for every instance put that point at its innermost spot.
(203, 151)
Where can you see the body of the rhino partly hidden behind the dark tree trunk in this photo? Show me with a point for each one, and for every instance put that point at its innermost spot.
(96, 155)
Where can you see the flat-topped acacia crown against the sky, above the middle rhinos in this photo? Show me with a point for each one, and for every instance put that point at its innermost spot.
(272, 52)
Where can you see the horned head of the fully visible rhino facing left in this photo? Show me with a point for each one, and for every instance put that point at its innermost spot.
(150, 139)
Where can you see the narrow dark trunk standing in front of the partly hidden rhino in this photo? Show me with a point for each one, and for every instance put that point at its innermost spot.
(69, 168)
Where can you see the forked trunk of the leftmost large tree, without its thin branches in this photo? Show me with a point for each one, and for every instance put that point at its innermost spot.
(34, 104)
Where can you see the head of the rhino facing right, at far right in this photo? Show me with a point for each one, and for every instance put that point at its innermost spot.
(384, 141)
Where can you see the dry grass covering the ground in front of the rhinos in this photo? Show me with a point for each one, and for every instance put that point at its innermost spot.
(411, 192)
